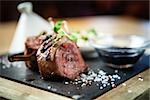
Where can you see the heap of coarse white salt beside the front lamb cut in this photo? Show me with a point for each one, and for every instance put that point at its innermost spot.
(99, 76)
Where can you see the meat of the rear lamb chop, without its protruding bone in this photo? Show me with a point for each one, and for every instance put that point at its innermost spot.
(31, 46)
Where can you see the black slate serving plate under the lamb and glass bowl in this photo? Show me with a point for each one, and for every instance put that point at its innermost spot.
(18, 72)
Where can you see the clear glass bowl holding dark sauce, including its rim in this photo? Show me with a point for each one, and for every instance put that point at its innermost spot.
(120, 51)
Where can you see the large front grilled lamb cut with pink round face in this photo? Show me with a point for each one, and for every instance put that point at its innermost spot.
(61, 58)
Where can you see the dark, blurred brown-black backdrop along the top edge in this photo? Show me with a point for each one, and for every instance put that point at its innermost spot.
(69, 8)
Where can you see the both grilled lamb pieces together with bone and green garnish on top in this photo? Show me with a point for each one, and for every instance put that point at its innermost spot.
(53, 54)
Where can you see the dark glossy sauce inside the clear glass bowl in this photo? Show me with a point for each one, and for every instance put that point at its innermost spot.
(120, 56)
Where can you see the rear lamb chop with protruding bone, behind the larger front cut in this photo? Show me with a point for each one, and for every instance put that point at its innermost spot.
(31, 46)
